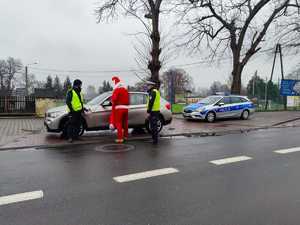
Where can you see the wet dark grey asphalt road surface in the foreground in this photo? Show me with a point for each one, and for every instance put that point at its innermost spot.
(79, 188)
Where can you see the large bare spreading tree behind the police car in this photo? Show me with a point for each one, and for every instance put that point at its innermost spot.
(236, 25)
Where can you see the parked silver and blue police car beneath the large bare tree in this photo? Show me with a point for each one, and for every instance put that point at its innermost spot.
(216, 107)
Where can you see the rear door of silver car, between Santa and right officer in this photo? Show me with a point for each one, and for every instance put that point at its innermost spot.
(137, 110)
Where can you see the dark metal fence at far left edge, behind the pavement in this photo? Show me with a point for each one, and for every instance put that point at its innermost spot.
(17, 105)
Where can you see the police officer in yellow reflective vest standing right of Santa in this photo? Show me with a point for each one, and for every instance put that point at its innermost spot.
(153, 109)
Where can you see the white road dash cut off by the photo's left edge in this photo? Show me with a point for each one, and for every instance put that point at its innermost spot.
(9, 199)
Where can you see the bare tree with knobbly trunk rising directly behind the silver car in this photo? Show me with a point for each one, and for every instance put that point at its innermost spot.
(142, 10)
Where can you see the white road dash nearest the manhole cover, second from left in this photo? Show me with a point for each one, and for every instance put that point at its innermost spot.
(146, 174)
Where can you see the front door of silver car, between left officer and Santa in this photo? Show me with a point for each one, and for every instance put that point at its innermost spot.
(100, 114)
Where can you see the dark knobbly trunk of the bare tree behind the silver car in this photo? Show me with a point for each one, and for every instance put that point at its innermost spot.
(154, 65)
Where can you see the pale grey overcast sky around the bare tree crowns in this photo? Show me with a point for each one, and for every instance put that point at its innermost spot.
(63, 35)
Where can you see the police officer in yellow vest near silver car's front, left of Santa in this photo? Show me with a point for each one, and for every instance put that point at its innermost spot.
(74, 102)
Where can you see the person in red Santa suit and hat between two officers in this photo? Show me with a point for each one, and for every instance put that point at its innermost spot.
(119, 113)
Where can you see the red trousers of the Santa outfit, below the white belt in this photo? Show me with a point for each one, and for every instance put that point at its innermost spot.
(121, 122)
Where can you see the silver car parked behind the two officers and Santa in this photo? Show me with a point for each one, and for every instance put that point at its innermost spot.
(100, 110)
